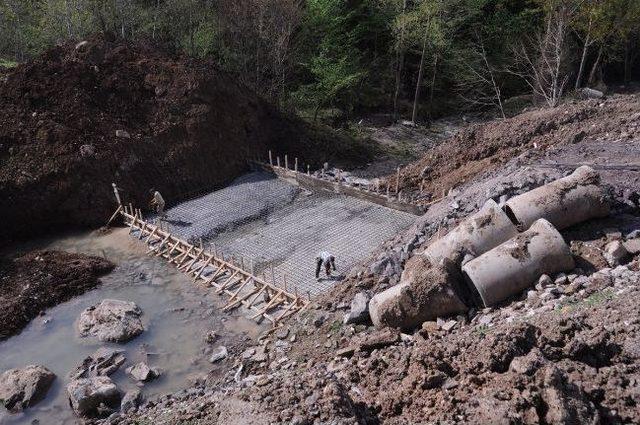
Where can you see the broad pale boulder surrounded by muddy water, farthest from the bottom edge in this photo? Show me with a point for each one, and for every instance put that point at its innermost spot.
(111, 321)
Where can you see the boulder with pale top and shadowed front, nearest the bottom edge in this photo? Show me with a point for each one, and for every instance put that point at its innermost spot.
(90, 396)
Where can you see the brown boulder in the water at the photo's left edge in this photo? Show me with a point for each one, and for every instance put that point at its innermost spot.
(22, 388)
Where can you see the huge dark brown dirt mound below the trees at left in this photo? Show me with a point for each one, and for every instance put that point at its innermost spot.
(81, 116)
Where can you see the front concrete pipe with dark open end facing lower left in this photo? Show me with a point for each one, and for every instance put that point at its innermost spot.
(518, 263)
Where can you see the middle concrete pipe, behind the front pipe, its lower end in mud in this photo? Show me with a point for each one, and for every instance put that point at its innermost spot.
(475, 235)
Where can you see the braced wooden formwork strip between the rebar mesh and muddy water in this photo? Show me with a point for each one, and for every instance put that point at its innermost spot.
(264, 299)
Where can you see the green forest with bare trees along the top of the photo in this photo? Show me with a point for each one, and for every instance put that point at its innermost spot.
(333, 59)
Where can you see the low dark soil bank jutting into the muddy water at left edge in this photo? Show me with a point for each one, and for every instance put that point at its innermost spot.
(42, 279)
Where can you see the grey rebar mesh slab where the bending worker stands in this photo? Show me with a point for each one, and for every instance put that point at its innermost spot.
(274, 227)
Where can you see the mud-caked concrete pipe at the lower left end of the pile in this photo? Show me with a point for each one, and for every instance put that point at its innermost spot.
(425, 292)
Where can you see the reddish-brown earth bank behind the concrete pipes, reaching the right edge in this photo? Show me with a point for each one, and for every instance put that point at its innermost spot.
(487, 146)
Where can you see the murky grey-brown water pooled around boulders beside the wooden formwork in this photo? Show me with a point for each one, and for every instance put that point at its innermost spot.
(177, 316)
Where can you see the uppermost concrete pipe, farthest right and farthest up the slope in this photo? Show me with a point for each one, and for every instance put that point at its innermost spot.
(564, 202)
